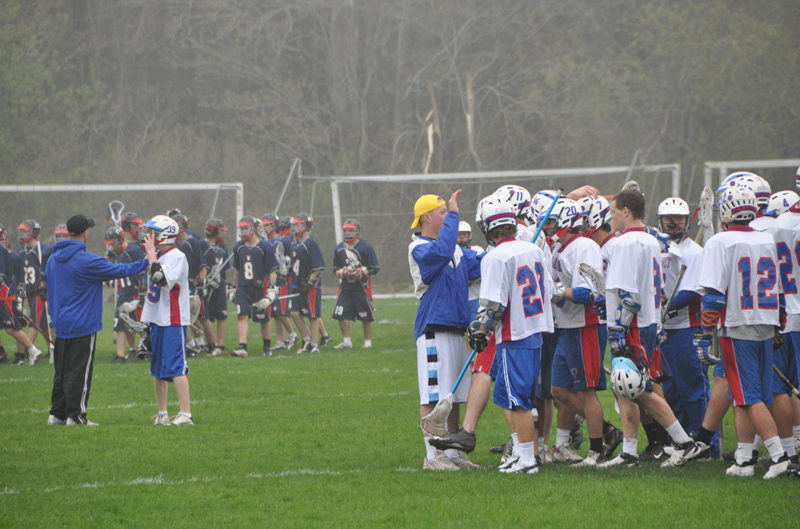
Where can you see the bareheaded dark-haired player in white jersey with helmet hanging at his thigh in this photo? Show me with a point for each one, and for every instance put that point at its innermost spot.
(633, 296)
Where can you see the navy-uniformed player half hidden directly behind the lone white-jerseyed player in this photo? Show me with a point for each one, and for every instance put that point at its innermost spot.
(194, 249)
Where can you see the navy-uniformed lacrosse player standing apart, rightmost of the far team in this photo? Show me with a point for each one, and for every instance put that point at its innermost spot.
(354, 263)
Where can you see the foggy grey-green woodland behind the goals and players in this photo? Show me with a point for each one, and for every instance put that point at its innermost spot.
(147, 91)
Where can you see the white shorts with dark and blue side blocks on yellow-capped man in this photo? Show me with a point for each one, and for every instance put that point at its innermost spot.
(440, 358)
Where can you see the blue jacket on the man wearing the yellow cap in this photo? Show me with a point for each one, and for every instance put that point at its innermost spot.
(441, 273)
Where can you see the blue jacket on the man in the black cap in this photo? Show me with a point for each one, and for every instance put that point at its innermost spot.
(75, 287)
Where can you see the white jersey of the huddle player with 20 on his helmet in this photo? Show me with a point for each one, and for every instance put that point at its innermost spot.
(578, 250)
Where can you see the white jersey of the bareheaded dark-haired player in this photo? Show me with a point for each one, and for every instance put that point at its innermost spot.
(635, 266)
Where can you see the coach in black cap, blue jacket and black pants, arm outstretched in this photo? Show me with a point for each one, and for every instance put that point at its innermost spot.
(75, 290)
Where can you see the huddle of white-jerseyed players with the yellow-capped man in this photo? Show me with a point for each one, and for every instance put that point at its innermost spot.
(565, 277)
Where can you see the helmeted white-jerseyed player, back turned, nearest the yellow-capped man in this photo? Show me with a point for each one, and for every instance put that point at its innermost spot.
(516, 290)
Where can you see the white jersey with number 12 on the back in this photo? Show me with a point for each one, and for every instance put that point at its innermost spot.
(741, 264)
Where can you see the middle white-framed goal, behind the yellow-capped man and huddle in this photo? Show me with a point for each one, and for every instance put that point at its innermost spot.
(384, 204)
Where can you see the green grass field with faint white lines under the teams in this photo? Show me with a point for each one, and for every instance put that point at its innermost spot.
(324, 440)
